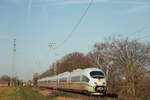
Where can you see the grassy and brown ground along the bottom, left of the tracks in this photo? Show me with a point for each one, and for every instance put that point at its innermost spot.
(26, 93)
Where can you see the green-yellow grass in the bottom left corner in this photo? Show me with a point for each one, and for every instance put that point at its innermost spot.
(21, 93)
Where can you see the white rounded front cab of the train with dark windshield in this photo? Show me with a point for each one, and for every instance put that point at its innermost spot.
(97, 81)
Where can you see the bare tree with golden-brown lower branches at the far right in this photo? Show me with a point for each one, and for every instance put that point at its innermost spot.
(132, 58)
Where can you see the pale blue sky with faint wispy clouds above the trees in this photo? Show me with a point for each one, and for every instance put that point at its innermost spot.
(36, 23)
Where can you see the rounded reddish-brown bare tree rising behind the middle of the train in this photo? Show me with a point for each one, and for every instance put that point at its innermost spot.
(73, 61)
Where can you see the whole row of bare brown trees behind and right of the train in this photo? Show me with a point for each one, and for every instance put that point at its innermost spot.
(127, 63)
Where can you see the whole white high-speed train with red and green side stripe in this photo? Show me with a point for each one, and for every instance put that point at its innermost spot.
(90, 80)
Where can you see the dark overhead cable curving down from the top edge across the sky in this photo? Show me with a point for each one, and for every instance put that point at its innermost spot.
(77, 24)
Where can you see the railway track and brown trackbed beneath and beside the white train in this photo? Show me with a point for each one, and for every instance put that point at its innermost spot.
(82, 96)
